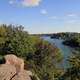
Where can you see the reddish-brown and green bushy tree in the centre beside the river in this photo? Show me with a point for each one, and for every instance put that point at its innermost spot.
(44, 60)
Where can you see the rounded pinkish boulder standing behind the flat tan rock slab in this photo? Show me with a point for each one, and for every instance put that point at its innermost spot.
(15, 61)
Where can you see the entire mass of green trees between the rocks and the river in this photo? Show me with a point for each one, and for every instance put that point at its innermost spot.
(40, 56)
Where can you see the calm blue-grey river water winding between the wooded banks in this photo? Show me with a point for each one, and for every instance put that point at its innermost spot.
(65, 50)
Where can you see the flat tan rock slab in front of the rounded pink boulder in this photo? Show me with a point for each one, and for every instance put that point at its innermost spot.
(7, 71)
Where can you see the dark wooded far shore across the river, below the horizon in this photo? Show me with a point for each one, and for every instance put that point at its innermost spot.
(70, 39)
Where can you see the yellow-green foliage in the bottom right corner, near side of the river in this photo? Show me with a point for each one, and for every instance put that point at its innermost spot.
(73, 72)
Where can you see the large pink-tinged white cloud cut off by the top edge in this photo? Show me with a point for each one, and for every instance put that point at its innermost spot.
(31, 3)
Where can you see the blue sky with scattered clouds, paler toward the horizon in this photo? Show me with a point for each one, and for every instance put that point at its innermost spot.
(42, 16)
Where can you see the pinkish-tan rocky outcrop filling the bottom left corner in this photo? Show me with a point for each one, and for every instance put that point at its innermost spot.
(13, 69)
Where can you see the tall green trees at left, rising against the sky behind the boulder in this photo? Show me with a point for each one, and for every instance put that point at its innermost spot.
(13, 40)
